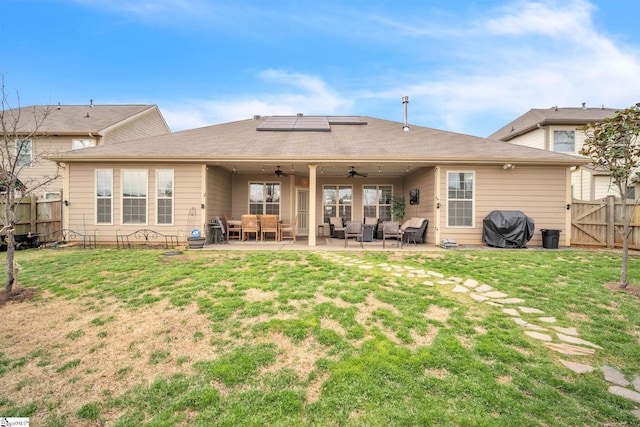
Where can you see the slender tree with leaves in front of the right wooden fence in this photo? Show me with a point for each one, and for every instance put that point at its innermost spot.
(613, 145)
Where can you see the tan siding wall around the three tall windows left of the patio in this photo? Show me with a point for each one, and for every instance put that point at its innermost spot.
(81, 195)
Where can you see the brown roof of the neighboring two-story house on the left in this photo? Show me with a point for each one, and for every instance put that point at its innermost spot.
(76, 119)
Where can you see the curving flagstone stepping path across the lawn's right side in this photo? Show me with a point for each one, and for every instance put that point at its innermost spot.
(565, 340)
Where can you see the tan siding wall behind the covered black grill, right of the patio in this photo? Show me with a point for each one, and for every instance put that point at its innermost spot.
(534, 190)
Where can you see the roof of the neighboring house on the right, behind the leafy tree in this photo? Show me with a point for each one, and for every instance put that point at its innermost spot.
(538, 117)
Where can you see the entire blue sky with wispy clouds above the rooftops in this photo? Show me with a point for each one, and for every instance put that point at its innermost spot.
(467, 66)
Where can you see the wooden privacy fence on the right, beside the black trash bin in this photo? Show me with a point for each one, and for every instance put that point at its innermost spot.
(594, 223)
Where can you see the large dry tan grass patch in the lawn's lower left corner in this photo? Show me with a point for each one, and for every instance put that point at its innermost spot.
(77, 361)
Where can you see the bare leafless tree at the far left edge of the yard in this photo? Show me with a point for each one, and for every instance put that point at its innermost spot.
(20, 130)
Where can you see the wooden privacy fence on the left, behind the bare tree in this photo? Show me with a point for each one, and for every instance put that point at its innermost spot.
(40, 216)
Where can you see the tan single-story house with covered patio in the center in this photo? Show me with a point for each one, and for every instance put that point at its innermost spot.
(312, 168)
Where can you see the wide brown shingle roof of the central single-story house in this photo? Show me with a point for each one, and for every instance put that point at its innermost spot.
(318, 139)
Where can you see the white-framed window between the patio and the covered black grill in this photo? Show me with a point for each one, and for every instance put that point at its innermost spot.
(460, 199)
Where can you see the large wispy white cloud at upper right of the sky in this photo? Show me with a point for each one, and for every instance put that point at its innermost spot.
(545, 54)
